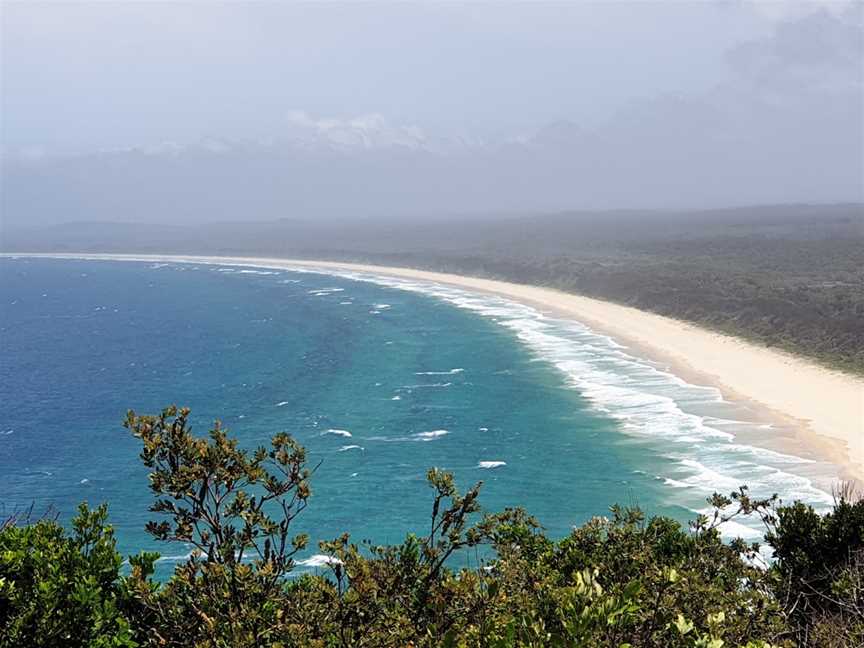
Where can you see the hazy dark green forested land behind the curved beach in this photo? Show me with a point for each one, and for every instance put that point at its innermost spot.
(785, 276)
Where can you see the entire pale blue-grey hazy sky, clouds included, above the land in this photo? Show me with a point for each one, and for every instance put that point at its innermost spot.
(695, 102)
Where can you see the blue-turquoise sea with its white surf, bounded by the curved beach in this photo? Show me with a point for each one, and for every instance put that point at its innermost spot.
(379, 381)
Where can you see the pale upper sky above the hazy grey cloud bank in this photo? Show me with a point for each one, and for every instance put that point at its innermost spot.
(115, 74)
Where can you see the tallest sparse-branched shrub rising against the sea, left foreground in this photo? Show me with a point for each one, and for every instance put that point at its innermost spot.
(235, 509)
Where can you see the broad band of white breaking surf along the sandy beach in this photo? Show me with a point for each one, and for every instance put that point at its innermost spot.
(649, 403)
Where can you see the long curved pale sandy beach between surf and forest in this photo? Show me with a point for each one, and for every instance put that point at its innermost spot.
(814, 411)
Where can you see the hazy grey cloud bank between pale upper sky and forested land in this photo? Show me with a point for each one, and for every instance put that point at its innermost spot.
(784, 124)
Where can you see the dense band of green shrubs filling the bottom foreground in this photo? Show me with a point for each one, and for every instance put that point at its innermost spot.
(625, 580)
